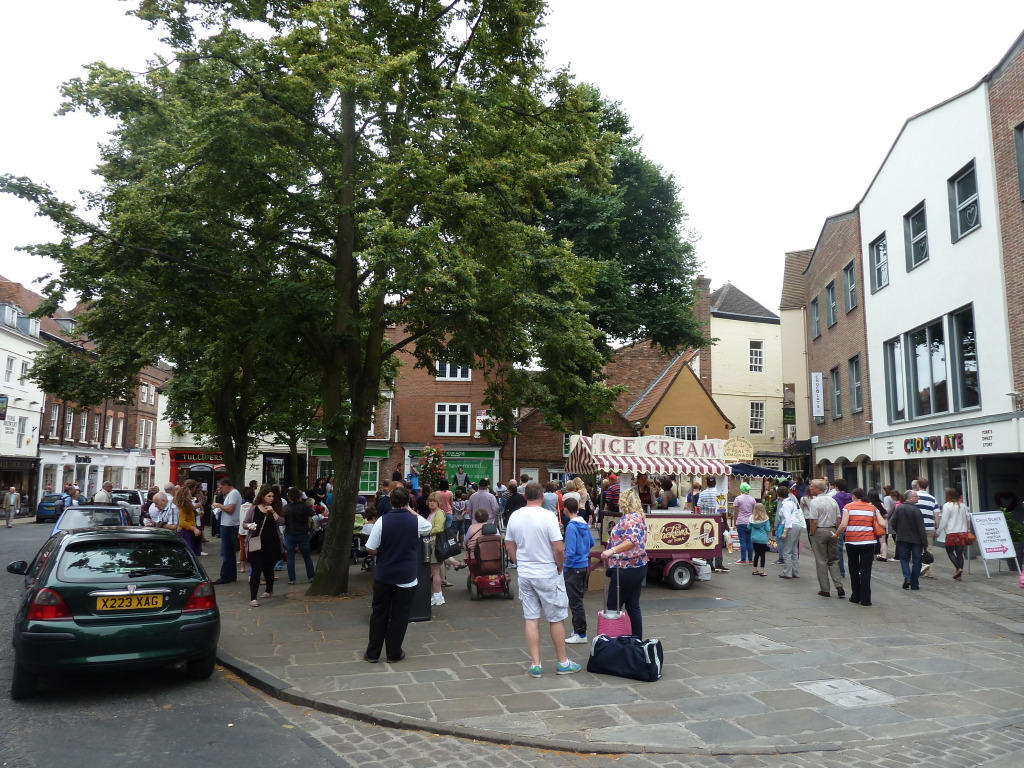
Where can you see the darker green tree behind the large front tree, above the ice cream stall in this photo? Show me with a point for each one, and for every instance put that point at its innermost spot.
(643, 264)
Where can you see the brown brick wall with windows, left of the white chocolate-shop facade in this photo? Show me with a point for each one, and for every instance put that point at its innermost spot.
(837, 247)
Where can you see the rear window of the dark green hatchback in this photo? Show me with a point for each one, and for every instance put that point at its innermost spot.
(109, 561)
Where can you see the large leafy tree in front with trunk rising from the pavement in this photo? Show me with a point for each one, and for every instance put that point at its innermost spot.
(370, 176)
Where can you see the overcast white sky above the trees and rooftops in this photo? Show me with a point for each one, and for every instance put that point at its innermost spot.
(771, 116)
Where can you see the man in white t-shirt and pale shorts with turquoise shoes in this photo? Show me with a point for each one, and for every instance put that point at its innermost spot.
(535, 543)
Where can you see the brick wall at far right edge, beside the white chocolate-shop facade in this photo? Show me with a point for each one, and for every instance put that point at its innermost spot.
(1007, 110)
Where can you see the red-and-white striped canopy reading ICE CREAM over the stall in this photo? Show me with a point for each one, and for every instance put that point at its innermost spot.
(649, 454)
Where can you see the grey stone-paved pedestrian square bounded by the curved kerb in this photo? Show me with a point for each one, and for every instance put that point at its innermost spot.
(944, 663)
